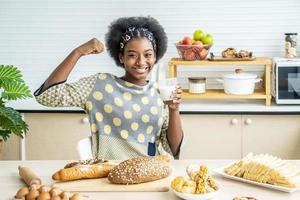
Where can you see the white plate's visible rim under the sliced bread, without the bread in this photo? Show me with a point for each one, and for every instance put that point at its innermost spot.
(274, 187)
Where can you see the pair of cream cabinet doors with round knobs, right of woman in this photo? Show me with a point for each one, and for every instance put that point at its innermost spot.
(233, 136)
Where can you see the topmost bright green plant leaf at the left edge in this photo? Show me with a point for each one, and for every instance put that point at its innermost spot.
(9, 73)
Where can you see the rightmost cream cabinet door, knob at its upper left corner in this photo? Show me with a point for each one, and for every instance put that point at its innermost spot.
(278, 135)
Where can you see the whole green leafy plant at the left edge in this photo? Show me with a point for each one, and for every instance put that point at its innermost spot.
(12, 87)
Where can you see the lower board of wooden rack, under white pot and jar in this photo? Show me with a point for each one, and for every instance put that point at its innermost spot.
(219, 94)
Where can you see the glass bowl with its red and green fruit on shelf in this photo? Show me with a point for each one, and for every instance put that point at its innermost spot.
(196, 48)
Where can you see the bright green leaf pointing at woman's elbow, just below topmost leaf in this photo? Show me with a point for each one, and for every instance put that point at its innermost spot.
(15, 90)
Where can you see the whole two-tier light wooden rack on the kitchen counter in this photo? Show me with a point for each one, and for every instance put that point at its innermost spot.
(264, 93)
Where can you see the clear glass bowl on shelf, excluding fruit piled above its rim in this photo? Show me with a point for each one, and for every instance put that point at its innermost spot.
(193, 52)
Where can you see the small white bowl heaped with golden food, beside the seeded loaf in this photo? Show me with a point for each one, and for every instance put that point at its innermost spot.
(199, 184)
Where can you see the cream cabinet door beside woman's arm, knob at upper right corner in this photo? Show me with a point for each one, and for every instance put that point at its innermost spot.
(211, 136)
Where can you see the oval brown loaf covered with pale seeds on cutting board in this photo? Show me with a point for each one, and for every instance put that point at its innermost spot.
(140, 169)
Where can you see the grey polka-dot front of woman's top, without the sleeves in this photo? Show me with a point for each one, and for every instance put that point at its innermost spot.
(126, 115)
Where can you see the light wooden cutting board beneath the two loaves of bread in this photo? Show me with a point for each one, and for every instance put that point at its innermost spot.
(103, 185)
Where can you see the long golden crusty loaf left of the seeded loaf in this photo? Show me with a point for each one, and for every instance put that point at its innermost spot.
(84, 169)
